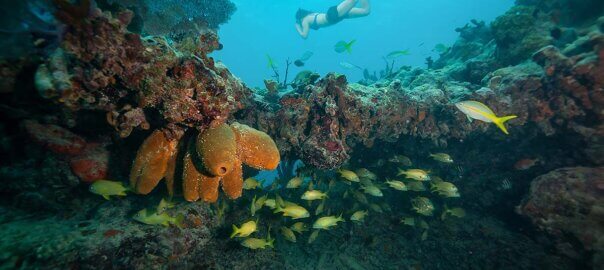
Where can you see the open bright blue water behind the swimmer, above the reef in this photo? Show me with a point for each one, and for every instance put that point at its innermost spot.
(266, 27)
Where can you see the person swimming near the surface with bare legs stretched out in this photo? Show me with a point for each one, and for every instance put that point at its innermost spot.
(306, 20)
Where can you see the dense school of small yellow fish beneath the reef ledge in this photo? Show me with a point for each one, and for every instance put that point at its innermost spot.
(305, 205)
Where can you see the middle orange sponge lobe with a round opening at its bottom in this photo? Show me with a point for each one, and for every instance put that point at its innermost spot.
(217, 149)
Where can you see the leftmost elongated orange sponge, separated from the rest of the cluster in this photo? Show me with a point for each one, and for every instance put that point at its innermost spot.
(151, 162)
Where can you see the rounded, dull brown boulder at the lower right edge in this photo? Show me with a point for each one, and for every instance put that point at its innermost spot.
(569, 203)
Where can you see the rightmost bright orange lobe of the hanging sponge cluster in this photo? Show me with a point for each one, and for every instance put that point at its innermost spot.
(256, 149)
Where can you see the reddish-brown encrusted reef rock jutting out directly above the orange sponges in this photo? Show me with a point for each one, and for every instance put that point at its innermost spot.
(101, 66)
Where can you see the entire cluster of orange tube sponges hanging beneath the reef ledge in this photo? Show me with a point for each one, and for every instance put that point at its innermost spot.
(217, 157)
